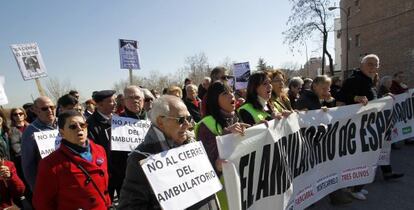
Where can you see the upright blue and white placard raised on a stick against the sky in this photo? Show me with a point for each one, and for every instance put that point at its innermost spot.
(128, 52)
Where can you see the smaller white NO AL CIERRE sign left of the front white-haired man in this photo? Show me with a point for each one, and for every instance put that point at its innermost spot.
(127, 133)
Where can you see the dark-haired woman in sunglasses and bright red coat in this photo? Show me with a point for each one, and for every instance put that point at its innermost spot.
(75, 175)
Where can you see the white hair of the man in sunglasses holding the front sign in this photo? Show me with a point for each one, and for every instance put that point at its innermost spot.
(162, 107)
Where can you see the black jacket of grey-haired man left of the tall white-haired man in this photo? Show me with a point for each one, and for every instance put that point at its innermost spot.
(310, 101)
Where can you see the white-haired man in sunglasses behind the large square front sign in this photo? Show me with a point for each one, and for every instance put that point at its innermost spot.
(170, 123)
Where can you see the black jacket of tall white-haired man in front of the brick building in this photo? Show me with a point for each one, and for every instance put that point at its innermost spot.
(357, 85)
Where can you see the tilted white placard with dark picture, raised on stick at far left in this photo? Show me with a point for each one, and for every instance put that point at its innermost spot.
(29, 60)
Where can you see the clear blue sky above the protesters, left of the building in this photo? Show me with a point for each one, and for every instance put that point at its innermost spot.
(78, 39)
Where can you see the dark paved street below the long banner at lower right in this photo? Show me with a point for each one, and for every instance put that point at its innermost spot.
(383, 195)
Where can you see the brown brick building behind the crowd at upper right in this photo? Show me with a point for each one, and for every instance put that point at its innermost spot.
(382, 27)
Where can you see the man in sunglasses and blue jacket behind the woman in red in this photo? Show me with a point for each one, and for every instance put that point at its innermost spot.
(44, 108)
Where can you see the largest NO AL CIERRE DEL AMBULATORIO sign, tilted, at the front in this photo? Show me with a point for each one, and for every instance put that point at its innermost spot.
(182, 176)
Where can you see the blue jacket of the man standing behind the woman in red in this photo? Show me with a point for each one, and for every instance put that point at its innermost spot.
(30, 152)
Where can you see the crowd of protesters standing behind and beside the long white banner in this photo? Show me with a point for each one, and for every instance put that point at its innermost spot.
(83, 173)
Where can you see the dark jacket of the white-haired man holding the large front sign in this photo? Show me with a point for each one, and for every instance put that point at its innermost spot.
(136, 190)
